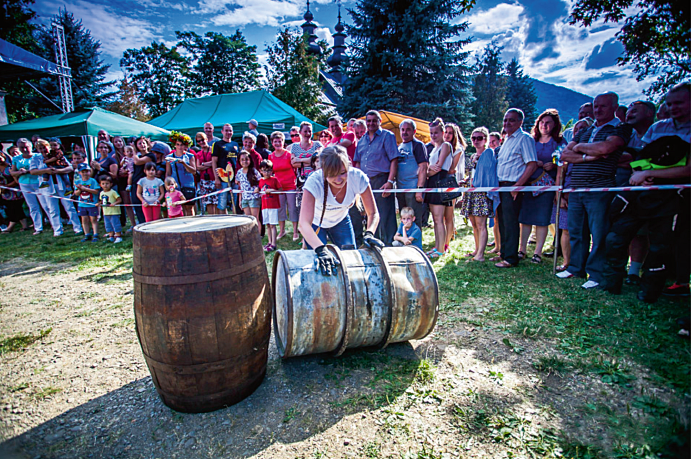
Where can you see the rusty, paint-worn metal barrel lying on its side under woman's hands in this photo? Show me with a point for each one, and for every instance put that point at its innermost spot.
(378, 297)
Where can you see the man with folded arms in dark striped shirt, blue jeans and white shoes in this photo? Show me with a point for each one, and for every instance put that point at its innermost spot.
(594, 154)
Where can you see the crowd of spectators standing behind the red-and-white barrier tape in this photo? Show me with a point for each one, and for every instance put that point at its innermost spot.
(596, 233)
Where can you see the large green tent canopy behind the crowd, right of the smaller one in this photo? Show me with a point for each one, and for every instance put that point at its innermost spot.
(235, 109)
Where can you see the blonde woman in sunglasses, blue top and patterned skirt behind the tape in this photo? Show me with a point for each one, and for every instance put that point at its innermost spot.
(478, 206)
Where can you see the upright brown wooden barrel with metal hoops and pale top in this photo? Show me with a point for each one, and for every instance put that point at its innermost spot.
(202, 309)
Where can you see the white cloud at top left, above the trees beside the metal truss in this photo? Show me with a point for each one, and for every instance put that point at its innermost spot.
(115, 32)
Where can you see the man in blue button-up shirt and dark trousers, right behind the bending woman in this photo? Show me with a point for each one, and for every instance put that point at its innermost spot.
(377, 155)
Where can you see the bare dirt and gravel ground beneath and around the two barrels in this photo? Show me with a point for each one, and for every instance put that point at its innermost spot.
(83, 389)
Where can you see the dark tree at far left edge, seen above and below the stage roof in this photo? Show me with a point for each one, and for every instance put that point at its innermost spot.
(17, 28)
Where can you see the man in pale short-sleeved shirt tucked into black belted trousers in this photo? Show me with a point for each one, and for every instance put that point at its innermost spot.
(516, 162)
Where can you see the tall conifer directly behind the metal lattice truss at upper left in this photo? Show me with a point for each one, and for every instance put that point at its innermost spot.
(89, 85)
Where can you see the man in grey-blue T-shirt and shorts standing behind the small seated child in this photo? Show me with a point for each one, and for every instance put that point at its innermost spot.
(412, 171)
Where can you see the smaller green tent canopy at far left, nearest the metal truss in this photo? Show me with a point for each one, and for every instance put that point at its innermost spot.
(82, 122)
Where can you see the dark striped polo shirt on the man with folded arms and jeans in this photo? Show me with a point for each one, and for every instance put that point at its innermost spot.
(601, 172)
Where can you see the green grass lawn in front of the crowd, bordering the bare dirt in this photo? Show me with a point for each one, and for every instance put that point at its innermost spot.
(617, 340)
